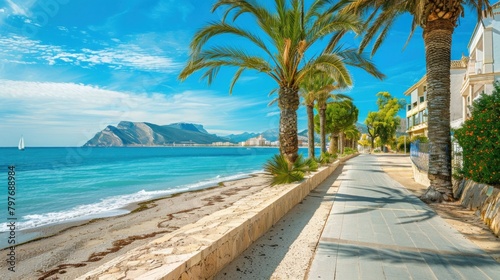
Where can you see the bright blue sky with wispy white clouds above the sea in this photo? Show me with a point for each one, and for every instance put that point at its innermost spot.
(70, 68)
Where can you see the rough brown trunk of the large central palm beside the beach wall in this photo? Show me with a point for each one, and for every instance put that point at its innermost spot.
(288, 102)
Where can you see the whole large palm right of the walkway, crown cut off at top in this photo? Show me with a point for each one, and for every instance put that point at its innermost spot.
(438, 19)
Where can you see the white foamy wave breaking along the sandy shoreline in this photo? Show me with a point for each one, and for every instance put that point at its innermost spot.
(113, 206)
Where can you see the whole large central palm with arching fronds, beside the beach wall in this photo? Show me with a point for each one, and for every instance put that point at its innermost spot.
(290, 32)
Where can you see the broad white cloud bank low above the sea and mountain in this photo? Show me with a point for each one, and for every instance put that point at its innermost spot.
(76, 112)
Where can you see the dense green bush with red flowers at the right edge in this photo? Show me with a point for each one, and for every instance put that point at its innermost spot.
(480, 140)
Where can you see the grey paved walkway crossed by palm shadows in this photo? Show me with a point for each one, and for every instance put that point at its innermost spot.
(378, 230)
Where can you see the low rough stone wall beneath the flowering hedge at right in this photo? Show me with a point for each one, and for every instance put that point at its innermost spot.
(483, 198)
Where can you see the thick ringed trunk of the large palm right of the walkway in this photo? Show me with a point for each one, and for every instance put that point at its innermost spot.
(437, 40)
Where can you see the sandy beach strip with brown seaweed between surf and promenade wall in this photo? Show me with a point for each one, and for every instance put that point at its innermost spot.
(71, 250)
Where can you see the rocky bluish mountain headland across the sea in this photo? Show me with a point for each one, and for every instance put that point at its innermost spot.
(148, 134)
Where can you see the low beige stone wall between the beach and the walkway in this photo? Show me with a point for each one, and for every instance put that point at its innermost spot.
(200, 250)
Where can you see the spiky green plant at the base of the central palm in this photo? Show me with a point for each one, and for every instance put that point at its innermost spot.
(283, 174)
